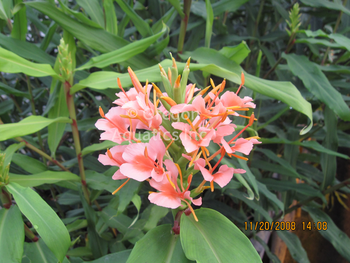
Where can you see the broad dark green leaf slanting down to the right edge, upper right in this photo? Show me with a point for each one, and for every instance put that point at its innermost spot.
(317, 83)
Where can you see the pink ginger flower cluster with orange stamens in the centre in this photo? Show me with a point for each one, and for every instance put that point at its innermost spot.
(168, 161)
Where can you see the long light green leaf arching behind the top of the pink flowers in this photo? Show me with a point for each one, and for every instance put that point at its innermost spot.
(213, 62)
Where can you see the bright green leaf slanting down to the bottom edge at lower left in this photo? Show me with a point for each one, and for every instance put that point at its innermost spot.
(44, 219)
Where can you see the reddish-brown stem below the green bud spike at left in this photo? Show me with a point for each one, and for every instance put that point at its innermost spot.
(75, 131)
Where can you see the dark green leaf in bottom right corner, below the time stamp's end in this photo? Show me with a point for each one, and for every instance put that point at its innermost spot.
(339, 240)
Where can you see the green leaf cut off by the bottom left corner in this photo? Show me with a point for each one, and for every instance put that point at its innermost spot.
(11, 235)
